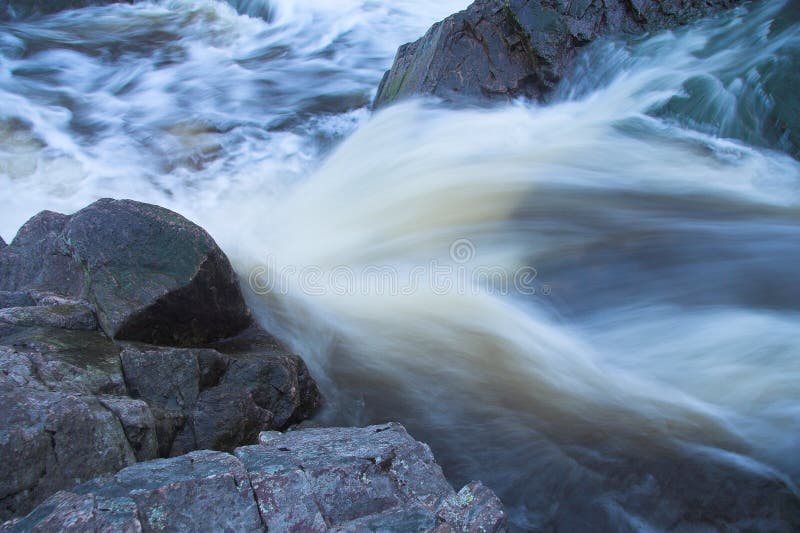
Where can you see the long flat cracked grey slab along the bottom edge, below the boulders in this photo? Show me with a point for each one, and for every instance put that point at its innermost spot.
(336, 479)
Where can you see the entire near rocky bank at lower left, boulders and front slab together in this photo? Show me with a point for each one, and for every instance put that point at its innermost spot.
(124, 338)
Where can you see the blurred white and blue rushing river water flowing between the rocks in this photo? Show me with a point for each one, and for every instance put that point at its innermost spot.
(646, 374)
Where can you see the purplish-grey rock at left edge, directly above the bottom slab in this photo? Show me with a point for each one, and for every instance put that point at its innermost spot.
(51, 439)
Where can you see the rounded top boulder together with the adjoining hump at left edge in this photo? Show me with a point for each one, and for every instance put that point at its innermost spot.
(152, 275)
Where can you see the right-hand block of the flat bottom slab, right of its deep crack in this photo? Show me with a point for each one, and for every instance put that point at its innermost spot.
(357, 479)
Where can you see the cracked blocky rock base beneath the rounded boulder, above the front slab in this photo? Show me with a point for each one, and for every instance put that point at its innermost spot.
(73, 406)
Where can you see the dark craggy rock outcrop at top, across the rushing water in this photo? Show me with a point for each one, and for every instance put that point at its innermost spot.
(502, 49)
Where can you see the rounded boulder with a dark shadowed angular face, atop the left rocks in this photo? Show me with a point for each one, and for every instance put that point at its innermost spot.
(156, 277)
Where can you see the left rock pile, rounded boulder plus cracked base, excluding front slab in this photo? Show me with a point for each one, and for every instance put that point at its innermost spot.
(76, 401)
